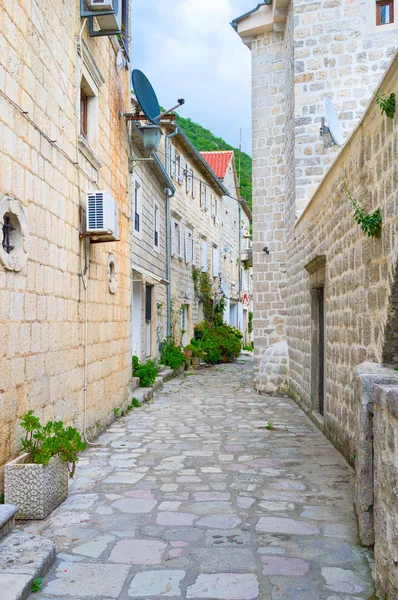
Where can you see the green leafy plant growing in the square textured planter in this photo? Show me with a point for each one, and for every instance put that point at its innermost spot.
(42, 442)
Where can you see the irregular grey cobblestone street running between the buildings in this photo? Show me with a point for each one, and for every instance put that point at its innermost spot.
(190, 497)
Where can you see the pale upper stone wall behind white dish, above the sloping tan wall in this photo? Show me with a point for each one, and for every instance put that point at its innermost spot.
(339, 53)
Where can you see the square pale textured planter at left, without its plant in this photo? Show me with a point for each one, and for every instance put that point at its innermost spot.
(35, 489)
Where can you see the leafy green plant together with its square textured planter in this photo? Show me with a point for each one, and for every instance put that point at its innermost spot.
(37, 481)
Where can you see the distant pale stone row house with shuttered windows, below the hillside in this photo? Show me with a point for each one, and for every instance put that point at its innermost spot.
(205, 232)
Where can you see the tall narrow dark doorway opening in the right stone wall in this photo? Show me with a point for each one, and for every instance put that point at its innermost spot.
(318, 349)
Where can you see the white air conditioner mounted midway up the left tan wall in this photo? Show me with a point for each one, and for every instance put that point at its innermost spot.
(102, 216)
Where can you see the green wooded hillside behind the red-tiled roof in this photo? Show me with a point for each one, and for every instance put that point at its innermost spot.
(204, 141)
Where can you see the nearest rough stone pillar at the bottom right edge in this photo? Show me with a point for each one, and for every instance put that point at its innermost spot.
(385, 434)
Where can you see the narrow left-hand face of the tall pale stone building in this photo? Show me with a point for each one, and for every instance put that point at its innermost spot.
(269, 284)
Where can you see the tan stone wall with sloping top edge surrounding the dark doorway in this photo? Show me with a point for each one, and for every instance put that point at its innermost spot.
(359, 271)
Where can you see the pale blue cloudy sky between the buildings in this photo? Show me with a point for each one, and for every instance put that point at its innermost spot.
(188, 49)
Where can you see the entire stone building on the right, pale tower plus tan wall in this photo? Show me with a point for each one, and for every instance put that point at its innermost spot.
(325, 297)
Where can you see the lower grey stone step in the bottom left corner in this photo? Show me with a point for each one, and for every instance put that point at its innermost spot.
(23, 558)
